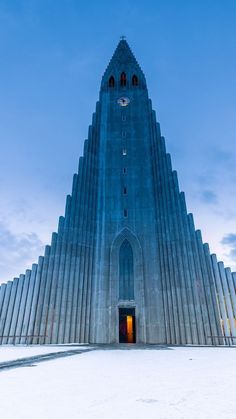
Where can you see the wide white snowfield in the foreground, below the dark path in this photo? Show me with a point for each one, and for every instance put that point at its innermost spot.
(174, 383)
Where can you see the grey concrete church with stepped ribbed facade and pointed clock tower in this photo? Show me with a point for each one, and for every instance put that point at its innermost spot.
(126, 264)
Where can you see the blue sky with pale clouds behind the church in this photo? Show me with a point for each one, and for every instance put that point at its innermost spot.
(52, 58)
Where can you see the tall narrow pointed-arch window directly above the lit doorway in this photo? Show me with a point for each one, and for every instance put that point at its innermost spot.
(126, 272)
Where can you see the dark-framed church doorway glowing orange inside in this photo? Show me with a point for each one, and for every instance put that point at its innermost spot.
(127, 325)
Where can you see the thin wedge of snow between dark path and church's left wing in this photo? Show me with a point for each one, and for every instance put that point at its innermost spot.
(10, 353)
